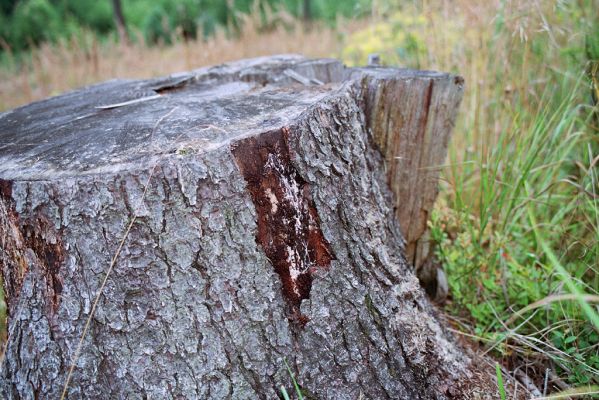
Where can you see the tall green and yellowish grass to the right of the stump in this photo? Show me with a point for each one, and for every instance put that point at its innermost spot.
(517, 222)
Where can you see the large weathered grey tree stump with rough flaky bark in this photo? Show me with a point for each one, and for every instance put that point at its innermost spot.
(263, 231)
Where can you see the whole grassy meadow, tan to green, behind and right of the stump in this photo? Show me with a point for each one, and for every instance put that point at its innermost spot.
(517, 221)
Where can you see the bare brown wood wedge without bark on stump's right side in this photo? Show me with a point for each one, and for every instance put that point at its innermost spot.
(411, 121)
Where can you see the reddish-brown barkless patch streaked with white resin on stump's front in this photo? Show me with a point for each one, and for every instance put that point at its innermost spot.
(288, 223)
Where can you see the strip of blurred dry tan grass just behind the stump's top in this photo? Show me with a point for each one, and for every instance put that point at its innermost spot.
(54, 68)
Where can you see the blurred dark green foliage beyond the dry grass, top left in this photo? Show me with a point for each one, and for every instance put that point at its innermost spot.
(26, 23)
